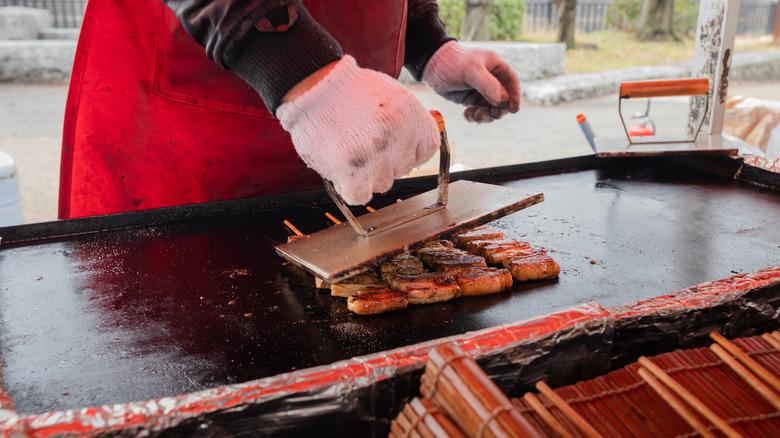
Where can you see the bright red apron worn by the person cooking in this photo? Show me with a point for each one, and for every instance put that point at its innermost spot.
(152, 122)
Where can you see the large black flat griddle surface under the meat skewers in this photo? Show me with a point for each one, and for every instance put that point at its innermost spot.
(137, 306)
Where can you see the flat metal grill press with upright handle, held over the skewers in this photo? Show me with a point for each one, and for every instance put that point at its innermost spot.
(347, 249)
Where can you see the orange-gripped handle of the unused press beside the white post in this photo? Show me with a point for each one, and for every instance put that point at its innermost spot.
(664, 88)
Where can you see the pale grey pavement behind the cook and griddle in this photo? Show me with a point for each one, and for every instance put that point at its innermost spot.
(31, 119)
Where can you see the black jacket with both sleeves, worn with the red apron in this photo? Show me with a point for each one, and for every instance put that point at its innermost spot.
(274, 44)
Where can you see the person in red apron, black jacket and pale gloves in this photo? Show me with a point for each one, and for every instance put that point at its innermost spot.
(285, 93)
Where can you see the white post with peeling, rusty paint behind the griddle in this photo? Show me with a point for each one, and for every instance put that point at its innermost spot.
(712, 59)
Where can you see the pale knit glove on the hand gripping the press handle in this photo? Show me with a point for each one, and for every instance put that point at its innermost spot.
(360, 129)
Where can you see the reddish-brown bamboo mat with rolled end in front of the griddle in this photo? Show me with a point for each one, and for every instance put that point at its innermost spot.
(731, 388)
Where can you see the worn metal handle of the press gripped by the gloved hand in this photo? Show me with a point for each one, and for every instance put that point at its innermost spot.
(441, 202)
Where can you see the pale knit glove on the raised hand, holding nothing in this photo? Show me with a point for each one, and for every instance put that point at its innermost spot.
(477, 78)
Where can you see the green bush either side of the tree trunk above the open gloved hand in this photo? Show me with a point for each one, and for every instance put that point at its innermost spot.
(506, 24)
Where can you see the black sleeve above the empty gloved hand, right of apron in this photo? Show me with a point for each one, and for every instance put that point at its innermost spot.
(425, 33)
